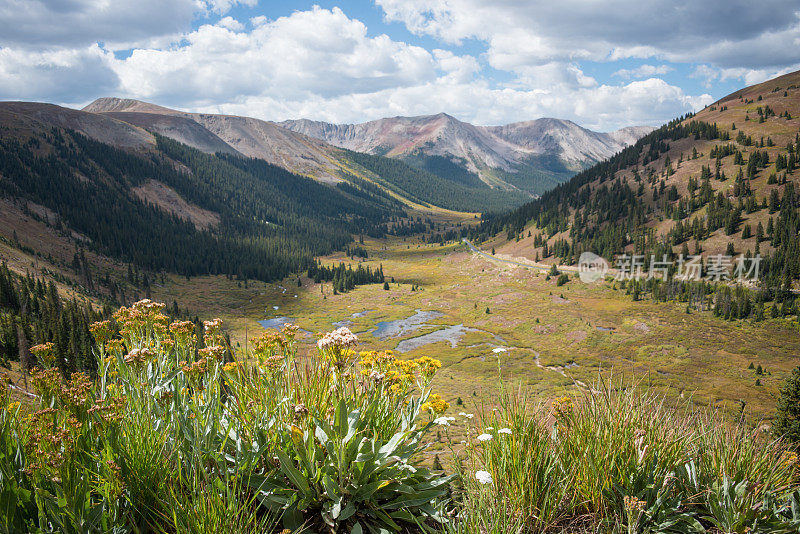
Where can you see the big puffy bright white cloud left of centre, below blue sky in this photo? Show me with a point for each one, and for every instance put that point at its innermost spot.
(320, 52)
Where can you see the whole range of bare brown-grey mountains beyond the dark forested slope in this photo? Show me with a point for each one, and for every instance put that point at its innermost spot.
(528, 157)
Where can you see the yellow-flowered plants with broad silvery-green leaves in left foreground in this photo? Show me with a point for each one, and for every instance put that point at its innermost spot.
(171, 437)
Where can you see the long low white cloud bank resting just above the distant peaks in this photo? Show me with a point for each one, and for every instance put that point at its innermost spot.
(605, 107)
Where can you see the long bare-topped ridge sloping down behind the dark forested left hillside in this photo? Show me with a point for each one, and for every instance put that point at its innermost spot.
(307, 156)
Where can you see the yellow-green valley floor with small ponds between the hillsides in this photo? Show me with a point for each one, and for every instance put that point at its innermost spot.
(556, 339)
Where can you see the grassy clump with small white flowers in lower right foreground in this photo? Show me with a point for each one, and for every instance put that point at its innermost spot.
(618, 460)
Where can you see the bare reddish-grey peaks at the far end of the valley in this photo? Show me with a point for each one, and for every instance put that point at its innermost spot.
(532, 155)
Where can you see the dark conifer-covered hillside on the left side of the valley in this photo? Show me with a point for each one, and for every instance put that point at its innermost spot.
(209, 214)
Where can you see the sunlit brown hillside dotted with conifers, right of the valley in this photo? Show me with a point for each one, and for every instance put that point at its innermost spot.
(722, 180)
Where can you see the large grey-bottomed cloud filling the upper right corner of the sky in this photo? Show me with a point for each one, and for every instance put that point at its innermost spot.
(522, 33)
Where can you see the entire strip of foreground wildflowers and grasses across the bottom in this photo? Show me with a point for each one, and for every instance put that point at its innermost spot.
(177, 436)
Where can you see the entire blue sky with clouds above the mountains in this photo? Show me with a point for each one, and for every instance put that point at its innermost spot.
(602, 64)
